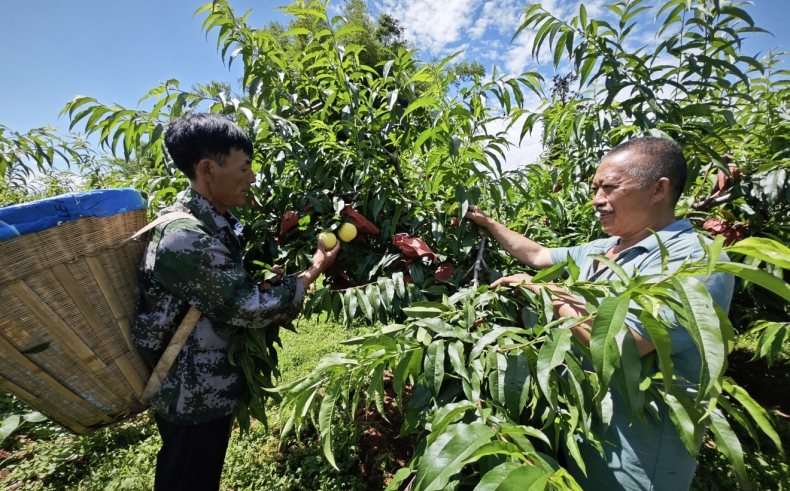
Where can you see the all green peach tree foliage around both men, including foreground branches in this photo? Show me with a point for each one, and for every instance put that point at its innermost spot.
(344, 117)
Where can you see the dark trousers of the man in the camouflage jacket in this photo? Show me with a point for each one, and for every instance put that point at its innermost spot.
(191, 456)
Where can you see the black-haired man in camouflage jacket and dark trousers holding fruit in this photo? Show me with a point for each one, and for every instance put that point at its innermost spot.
(198, 262)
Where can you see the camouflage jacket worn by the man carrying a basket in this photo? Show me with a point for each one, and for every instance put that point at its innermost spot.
(187, 262)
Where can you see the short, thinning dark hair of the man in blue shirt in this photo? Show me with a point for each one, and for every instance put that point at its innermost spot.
(655, 158)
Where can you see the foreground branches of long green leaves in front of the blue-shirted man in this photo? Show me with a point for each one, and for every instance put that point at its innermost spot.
(511, 386)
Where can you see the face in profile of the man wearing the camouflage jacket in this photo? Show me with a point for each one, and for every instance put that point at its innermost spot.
(232, 181)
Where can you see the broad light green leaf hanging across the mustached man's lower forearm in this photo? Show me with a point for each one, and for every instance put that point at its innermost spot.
(609, 322)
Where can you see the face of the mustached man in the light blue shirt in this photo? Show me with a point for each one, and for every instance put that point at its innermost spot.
(623, 209)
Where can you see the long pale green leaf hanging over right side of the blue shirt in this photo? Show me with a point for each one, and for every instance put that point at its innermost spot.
(703, 325)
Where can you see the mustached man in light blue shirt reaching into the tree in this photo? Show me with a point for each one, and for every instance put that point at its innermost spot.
(636, 188)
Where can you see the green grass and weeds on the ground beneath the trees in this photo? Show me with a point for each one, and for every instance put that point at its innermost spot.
(45, 457)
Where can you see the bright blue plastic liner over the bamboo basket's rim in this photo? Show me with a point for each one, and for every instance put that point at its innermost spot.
(40, 215)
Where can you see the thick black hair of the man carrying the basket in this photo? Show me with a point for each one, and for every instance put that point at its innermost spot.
(194, 137)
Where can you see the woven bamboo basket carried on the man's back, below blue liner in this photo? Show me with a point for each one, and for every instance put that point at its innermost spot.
(67, 298)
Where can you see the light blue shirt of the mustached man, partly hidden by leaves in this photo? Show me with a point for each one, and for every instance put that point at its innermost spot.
(651, 457)
